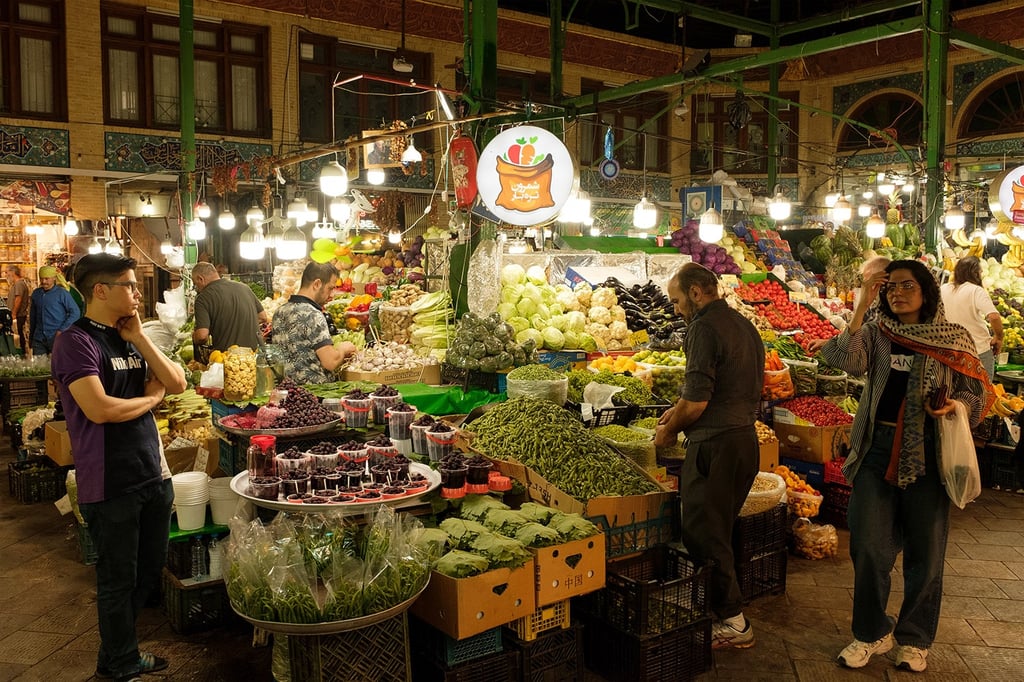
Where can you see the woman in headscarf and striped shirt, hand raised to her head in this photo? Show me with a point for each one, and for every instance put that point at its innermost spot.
(912, 357)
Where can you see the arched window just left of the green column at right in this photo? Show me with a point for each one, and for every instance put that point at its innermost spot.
(901, 115)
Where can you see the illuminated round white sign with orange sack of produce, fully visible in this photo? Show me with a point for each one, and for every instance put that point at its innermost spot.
(525, 176)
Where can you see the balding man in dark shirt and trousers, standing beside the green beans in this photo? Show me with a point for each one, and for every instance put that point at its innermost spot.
(724, 373)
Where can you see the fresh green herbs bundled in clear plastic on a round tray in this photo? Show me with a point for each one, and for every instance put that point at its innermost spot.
(316, 569)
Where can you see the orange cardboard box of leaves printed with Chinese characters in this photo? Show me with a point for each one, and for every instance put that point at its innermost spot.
(462, 608)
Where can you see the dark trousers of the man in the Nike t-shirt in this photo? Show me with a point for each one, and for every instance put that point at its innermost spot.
(131, 534)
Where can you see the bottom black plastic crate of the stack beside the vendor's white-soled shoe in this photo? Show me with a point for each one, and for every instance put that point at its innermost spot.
(678, 656)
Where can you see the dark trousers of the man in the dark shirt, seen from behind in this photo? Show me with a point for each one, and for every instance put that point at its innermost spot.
(716, 478)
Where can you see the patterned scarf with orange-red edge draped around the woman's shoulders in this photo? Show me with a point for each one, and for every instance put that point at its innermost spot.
(945, 349)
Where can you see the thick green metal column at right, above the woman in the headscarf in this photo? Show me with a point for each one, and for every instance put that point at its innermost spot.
(936, 46)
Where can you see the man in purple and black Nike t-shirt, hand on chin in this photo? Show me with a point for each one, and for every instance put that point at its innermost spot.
(110, 377)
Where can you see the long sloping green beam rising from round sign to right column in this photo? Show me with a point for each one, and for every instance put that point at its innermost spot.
(858, 37)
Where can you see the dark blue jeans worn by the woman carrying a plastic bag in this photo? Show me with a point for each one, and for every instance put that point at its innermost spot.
(885, 520)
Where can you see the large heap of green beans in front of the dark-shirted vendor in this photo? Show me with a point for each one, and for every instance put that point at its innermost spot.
(557, 445)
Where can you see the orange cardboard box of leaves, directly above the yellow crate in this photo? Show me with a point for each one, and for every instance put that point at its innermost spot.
(570, 570)
